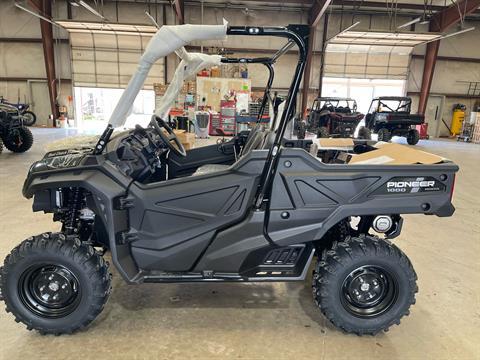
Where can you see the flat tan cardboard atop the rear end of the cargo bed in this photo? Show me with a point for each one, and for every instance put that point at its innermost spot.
(395, 154)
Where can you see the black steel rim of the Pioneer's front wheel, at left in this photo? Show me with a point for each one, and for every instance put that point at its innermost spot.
(50, 291)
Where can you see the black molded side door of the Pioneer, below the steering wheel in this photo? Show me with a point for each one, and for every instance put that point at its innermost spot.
(181, 216)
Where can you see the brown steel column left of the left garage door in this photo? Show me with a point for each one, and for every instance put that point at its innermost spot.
(45, 8)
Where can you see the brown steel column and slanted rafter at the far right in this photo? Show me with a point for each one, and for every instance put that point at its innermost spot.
(440, 22)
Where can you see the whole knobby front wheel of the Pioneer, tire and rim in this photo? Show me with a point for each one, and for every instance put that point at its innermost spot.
(54, 284)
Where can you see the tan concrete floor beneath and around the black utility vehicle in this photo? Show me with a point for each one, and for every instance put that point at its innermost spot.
(267, 320)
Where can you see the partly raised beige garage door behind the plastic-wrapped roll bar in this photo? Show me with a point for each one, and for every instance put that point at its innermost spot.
(106, 55)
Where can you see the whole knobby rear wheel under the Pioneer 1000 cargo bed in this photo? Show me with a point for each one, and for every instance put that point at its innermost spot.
(364, 285)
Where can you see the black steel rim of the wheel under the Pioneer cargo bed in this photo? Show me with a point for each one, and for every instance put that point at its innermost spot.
(369, 291)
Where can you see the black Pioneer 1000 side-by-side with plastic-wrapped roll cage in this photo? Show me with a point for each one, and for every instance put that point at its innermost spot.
(263, 216)
